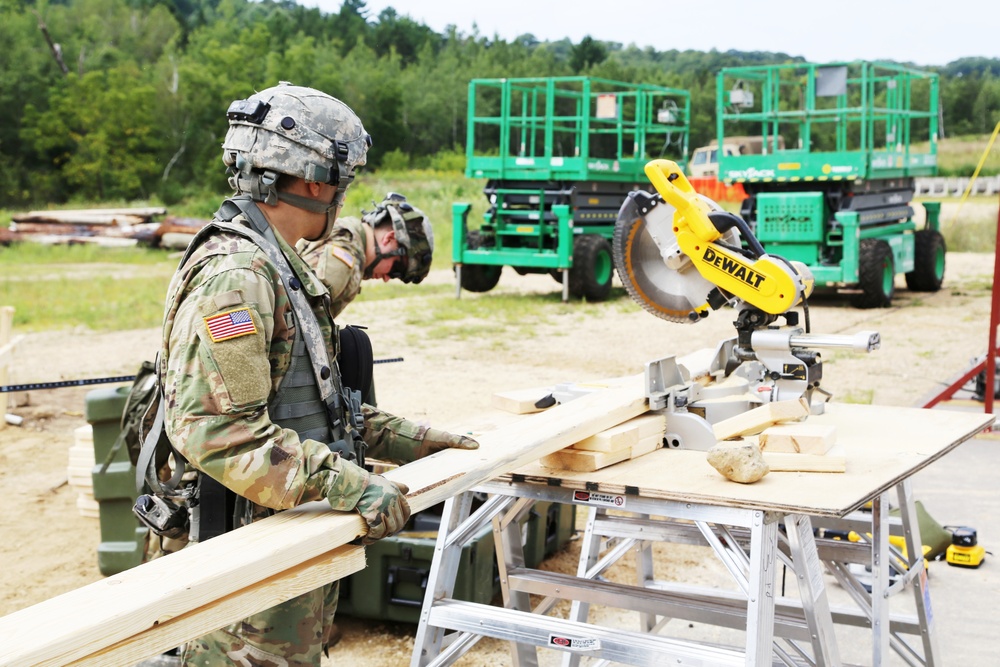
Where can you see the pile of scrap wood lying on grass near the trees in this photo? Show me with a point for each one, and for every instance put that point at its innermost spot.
(103, 226)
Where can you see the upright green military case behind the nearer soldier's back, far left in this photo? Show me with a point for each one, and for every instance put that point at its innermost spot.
(122, 536)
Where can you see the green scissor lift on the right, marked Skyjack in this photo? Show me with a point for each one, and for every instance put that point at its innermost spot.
(836, 193)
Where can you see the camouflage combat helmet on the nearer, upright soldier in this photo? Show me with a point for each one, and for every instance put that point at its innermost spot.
(297, 131)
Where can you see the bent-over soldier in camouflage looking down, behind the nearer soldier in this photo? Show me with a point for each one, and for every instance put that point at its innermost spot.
(395, 240)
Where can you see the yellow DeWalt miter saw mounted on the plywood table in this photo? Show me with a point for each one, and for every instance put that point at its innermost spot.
(680, 256)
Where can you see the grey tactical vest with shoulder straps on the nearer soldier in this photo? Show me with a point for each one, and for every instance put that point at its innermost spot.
(311, 400)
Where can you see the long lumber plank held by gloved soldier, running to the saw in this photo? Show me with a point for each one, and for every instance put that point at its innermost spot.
(128, 607)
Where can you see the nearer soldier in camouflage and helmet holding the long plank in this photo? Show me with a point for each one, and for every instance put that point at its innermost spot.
(251, 398)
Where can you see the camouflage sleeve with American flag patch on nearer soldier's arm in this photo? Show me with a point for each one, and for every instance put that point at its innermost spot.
(218, 379)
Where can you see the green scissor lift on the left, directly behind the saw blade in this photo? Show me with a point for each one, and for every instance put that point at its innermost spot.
(559, 155)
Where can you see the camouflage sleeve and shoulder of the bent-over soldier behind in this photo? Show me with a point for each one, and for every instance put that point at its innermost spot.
(339, 261)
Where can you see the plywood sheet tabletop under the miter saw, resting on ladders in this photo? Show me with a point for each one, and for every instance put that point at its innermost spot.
(882, 445)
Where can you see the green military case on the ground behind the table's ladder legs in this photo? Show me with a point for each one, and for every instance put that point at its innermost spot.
(393, 584)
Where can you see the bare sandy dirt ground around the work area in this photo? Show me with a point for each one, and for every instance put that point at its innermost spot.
(48, 548)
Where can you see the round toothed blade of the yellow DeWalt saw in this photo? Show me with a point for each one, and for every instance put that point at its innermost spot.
(675, 294)
